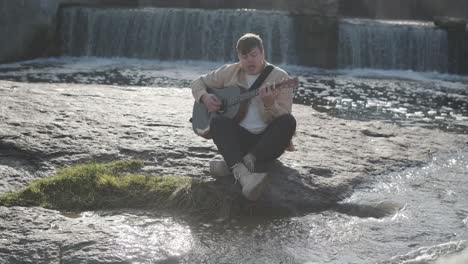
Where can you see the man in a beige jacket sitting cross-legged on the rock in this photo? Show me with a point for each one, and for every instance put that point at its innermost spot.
(268, 126)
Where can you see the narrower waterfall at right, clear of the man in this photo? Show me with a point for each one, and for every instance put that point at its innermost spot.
(400, 45)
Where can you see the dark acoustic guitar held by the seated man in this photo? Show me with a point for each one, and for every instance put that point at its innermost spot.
(234, 103)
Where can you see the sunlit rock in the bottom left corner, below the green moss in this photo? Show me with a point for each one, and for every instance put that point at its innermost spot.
(57, 239)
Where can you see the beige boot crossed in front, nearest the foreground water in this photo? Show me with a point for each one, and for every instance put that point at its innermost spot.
(252, 183)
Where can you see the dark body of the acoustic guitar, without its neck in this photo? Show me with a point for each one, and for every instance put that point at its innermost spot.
(201, 118)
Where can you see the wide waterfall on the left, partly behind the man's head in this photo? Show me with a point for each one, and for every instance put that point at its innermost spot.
(173, 34)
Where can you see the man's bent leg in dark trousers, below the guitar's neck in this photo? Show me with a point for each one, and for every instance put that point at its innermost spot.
(275, 139)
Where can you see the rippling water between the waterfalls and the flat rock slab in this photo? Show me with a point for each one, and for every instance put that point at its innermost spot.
(402, 98)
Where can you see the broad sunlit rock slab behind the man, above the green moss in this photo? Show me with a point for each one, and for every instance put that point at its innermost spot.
(104, 123)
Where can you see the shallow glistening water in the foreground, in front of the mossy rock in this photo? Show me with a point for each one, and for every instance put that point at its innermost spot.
(433, 224)
